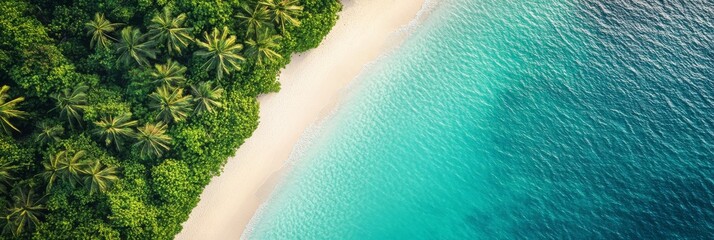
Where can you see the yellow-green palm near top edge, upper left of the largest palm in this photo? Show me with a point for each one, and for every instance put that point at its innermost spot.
(168, 29)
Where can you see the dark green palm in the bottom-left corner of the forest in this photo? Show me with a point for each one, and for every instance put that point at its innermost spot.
(24, 213)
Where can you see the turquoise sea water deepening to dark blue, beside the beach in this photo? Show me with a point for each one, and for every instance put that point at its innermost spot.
(519, 119)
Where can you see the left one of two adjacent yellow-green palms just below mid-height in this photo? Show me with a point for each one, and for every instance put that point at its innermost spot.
(115, 129)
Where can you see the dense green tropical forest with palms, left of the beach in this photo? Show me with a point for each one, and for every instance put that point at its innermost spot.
(115, 114)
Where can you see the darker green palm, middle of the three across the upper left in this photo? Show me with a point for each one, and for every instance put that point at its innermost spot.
(133, 45)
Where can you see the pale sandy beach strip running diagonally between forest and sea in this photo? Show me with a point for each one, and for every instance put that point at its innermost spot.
(311, 83)
